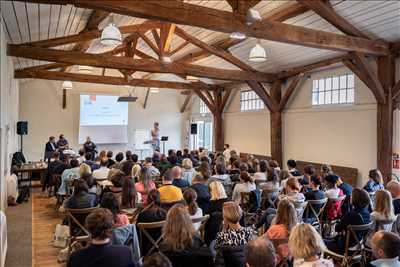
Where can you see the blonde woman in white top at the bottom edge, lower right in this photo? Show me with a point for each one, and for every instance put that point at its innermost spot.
(306, 246)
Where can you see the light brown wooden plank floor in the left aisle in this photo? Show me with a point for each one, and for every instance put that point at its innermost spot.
(44, 221)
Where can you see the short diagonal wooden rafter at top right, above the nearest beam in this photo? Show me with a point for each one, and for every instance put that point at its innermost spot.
(326, 11)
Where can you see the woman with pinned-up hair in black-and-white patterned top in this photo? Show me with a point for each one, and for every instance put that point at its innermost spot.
(233, 234)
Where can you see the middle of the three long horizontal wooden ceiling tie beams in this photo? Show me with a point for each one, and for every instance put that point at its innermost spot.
(113, 62)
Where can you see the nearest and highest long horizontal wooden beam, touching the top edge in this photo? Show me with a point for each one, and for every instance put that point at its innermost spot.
(217, 20)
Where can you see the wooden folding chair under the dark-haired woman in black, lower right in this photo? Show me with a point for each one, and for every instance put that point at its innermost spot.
(357, 253)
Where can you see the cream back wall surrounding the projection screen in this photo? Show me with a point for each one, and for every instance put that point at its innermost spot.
(41, 106)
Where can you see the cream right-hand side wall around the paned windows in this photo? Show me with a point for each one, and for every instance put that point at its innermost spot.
(342, 135)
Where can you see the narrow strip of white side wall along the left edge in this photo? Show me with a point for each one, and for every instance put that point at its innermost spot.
(9, 114)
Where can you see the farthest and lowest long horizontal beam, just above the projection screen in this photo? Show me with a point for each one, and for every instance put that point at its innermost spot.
(110, 80)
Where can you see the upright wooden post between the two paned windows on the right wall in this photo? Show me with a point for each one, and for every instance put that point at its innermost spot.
(276, 124)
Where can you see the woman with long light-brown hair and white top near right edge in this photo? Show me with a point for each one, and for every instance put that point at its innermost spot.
(383, 210)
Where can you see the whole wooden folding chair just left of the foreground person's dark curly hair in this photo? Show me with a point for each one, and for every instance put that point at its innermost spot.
(77, 231)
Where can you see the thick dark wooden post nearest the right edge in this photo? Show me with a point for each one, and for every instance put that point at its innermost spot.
(386, 75)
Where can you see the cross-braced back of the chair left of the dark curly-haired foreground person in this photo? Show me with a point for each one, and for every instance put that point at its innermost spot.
(76, 220)
